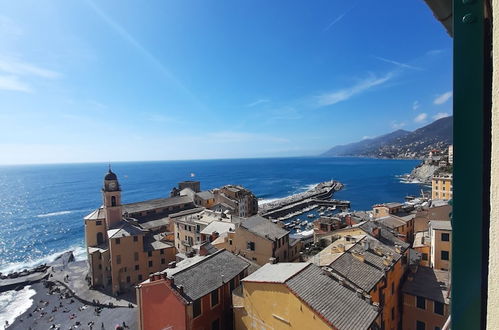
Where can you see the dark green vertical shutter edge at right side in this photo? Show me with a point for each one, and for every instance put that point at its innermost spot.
(470, 199)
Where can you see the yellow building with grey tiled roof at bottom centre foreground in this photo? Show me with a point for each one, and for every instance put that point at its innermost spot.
(300, 296)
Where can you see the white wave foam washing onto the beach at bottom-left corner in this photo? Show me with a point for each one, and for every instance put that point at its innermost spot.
(14, 303)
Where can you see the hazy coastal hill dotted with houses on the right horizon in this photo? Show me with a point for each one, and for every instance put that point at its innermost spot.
(400, 143)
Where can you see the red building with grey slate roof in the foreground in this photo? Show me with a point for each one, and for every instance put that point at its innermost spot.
(195, 293)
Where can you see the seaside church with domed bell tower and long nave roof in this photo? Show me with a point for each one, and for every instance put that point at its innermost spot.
(127, 242)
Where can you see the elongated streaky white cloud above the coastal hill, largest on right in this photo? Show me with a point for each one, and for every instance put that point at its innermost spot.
(346, 93)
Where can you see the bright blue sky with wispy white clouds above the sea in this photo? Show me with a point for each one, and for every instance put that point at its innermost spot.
(89, 81)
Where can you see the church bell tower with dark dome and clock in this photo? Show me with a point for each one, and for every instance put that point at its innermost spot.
(111, 193)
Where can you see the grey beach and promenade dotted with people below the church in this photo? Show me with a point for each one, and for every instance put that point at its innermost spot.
(65, 301)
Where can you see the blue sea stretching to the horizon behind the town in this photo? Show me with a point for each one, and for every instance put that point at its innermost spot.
(42, 206)
